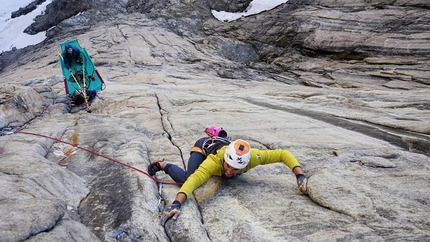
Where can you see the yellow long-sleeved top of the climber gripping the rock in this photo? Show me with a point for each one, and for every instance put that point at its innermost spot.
(213, 166)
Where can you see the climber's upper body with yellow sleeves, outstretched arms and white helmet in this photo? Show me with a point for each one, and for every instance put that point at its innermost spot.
(231, 160)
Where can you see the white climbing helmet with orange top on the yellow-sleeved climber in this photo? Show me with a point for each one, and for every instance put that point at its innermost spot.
(238, 154)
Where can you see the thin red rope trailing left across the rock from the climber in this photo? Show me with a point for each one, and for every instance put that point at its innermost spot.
(18, 130)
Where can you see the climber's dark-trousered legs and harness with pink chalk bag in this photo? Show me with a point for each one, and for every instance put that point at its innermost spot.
(216, 138)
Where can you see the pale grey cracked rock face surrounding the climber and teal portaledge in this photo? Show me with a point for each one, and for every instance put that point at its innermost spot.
(343, 85)
